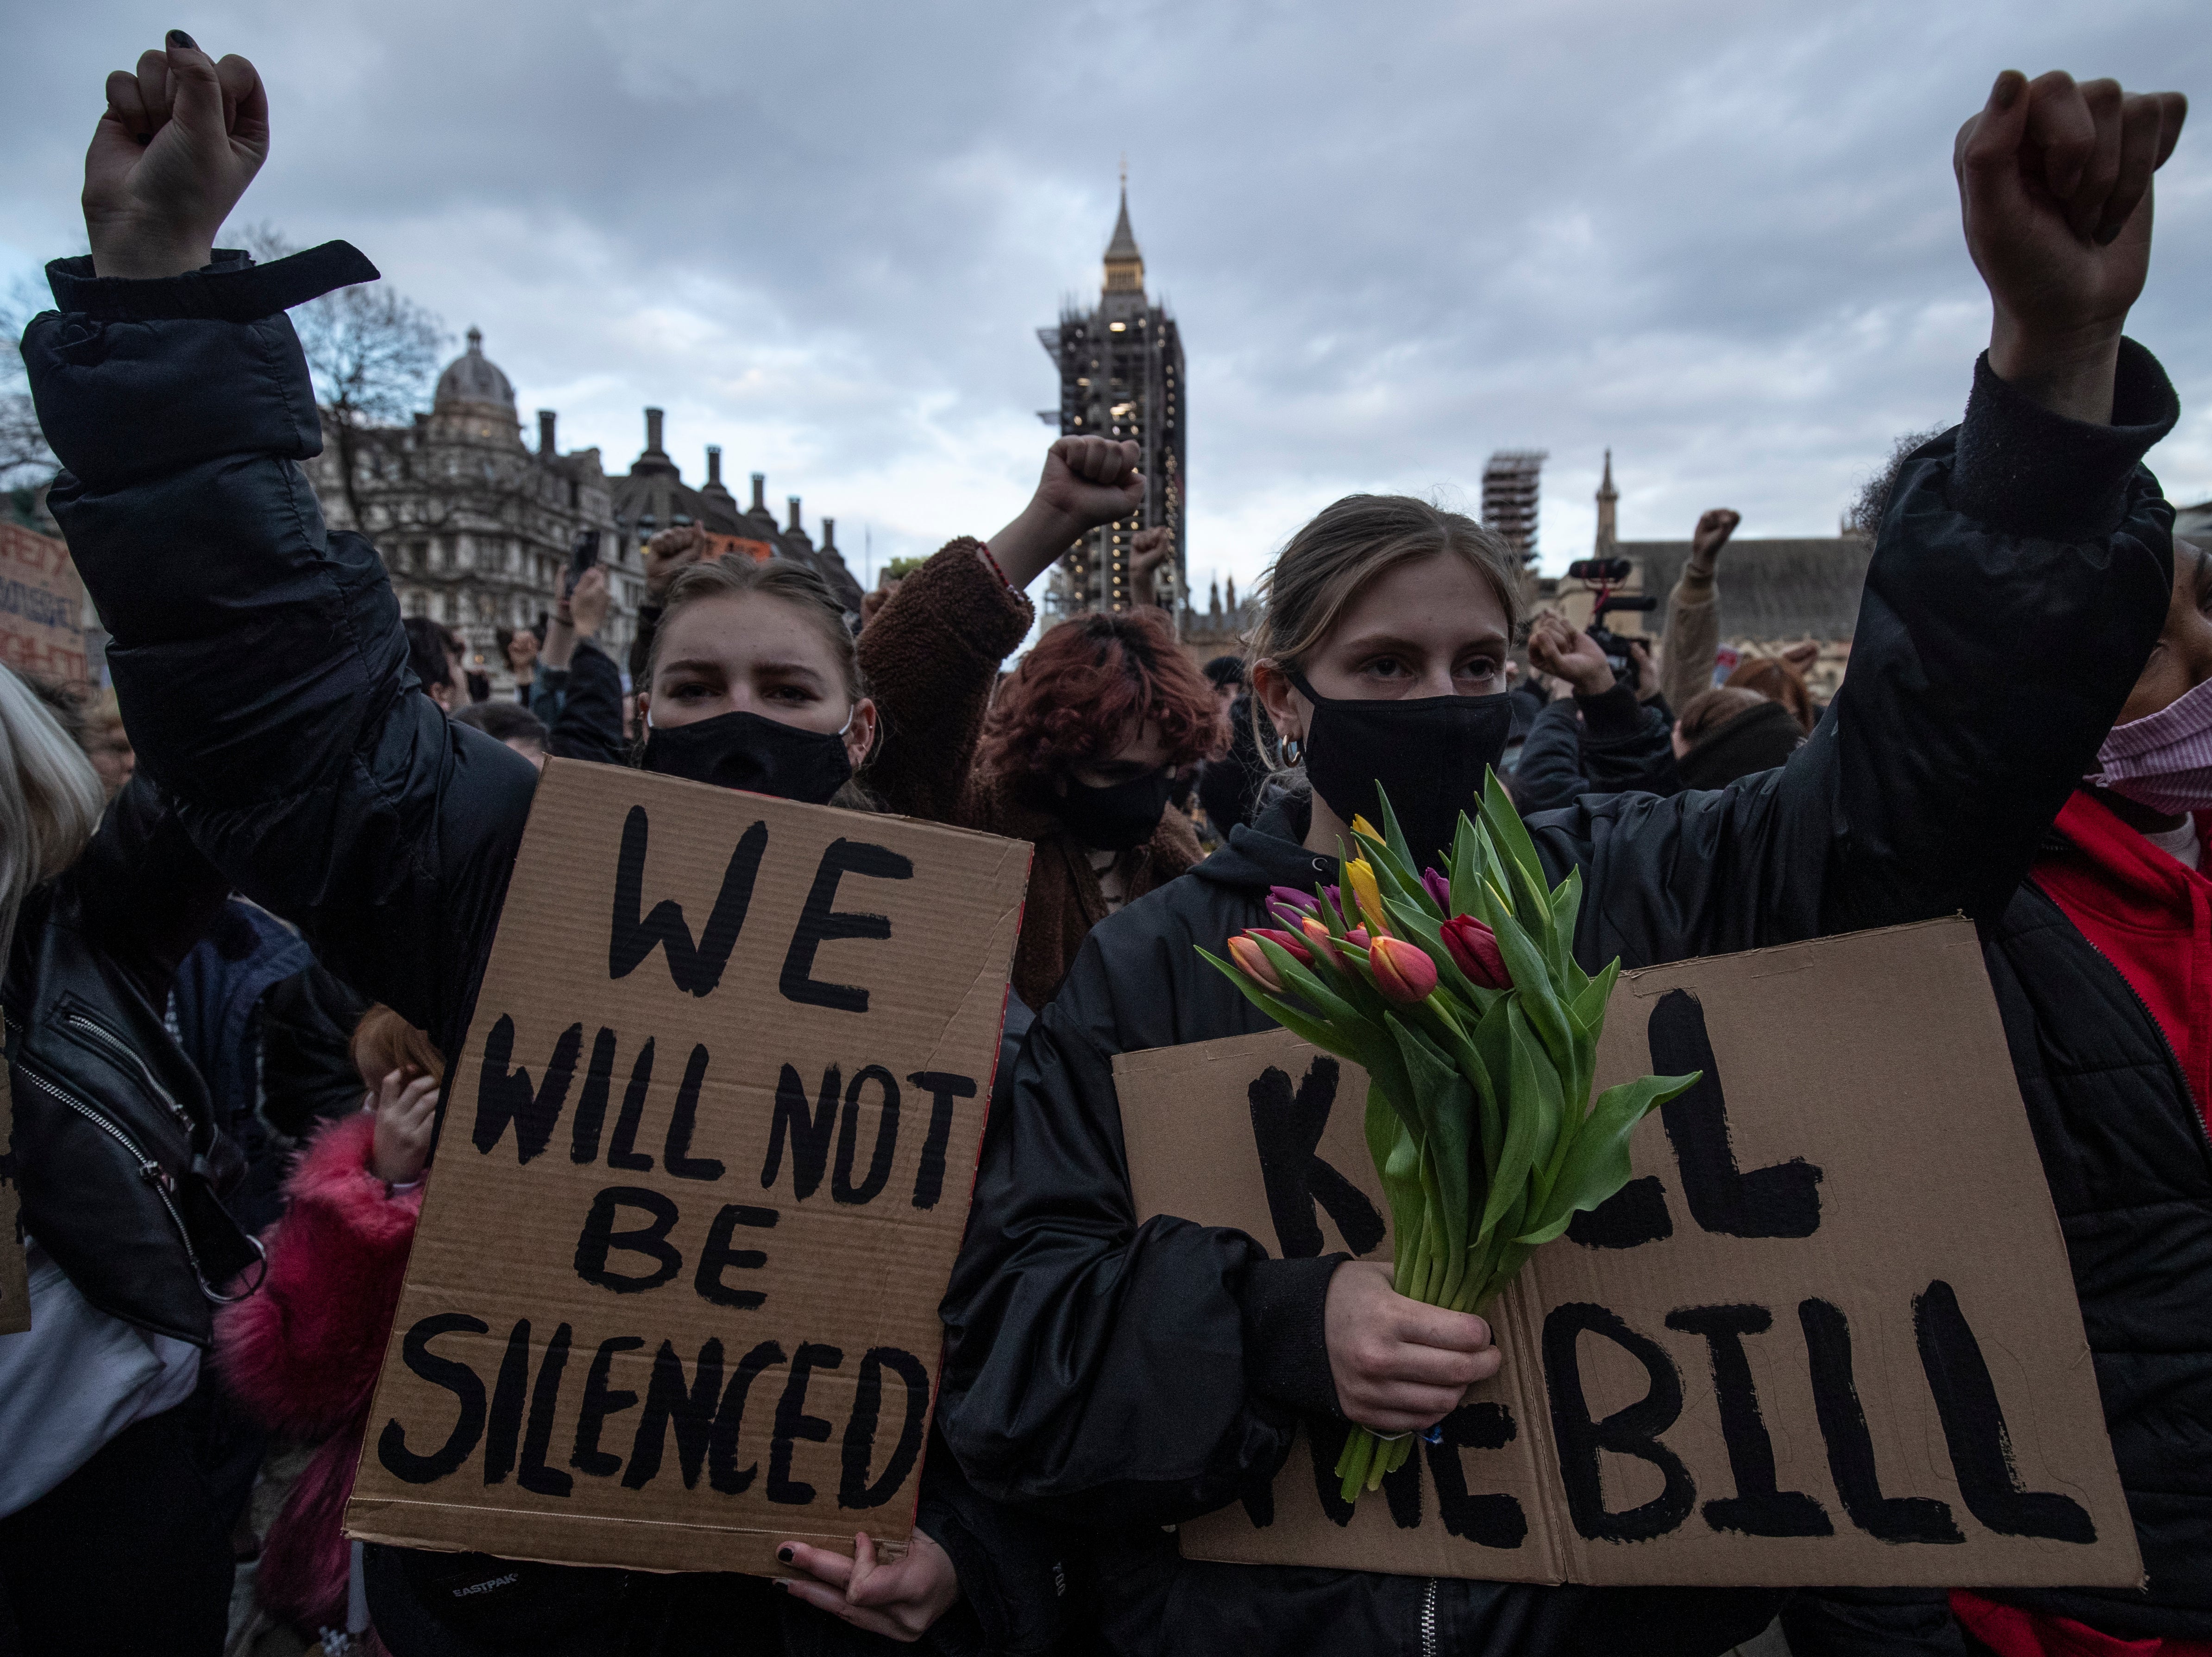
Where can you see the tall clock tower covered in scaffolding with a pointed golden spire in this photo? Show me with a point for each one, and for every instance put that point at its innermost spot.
(1123, 377)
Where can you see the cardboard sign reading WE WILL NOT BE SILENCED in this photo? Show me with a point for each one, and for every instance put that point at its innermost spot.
(698, 1187)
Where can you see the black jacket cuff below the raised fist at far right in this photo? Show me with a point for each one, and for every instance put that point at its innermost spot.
(2025, 470)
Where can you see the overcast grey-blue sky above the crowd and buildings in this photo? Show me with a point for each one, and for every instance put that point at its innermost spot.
(1718, 238)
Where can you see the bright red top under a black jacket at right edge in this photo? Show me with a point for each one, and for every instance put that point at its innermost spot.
(2151, 917)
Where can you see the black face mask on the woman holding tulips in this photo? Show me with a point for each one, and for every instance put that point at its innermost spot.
(1428, 753)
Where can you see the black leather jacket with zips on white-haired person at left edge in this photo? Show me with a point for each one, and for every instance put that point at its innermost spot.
(121, 1163)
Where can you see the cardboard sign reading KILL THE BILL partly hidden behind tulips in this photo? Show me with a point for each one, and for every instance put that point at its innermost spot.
(1826, 1335)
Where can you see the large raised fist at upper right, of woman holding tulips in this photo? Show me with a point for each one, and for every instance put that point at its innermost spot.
(2054, 185)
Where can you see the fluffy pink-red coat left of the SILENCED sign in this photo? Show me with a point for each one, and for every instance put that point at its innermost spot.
(306, 1351)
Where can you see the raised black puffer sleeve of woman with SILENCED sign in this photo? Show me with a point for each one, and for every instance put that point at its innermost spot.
(260, 658)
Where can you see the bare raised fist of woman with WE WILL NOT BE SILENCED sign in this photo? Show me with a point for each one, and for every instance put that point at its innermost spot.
(180, 143)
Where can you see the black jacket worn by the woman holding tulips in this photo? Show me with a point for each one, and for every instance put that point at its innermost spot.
(1138, 1375)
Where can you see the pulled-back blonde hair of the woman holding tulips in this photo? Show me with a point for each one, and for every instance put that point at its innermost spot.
(1342, 552)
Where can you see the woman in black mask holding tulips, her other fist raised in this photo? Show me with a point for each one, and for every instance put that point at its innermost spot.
(1138, 1373)
